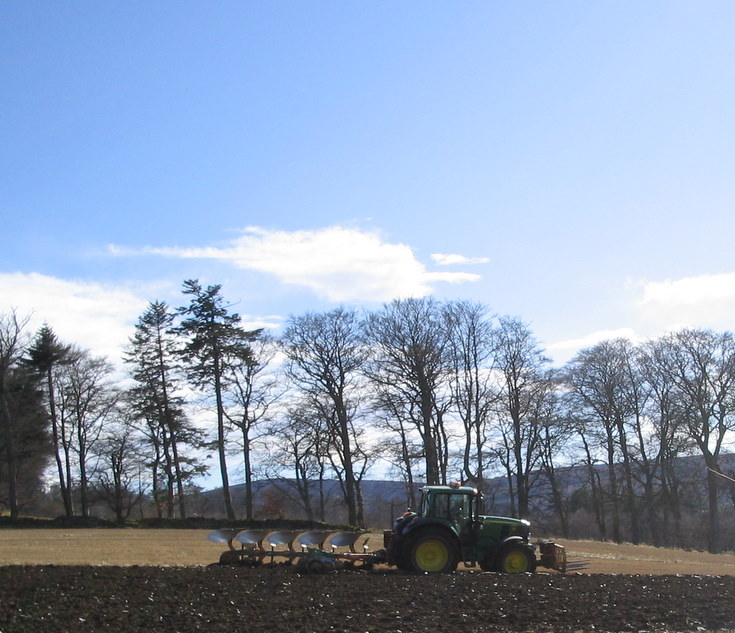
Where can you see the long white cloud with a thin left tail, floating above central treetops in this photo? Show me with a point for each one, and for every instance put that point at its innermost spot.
(337, 263)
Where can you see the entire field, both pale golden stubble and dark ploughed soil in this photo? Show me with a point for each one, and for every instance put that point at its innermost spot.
(162, 581)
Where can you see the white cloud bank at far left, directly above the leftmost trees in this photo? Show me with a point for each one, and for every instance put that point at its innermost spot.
(92, 315)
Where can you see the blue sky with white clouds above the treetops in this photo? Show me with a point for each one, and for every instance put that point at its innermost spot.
(569, 163)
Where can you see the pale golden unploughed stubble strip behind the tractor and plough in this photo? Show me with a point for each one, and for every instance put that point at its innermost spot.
(190, 547)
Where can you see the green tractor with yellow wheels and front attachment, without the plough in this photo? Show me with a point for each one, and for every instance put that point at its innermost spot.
(449, 529)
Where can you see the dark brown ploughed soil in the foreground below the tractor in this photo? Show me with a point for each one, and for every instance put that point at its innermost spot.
(279, 599)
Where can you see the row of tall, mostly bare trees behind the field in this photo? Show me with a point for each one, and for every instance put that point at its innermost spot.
(439, 391)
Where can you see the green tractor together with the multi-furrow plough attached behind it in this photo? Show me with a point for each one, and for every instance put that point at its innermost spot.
(447, 529)
